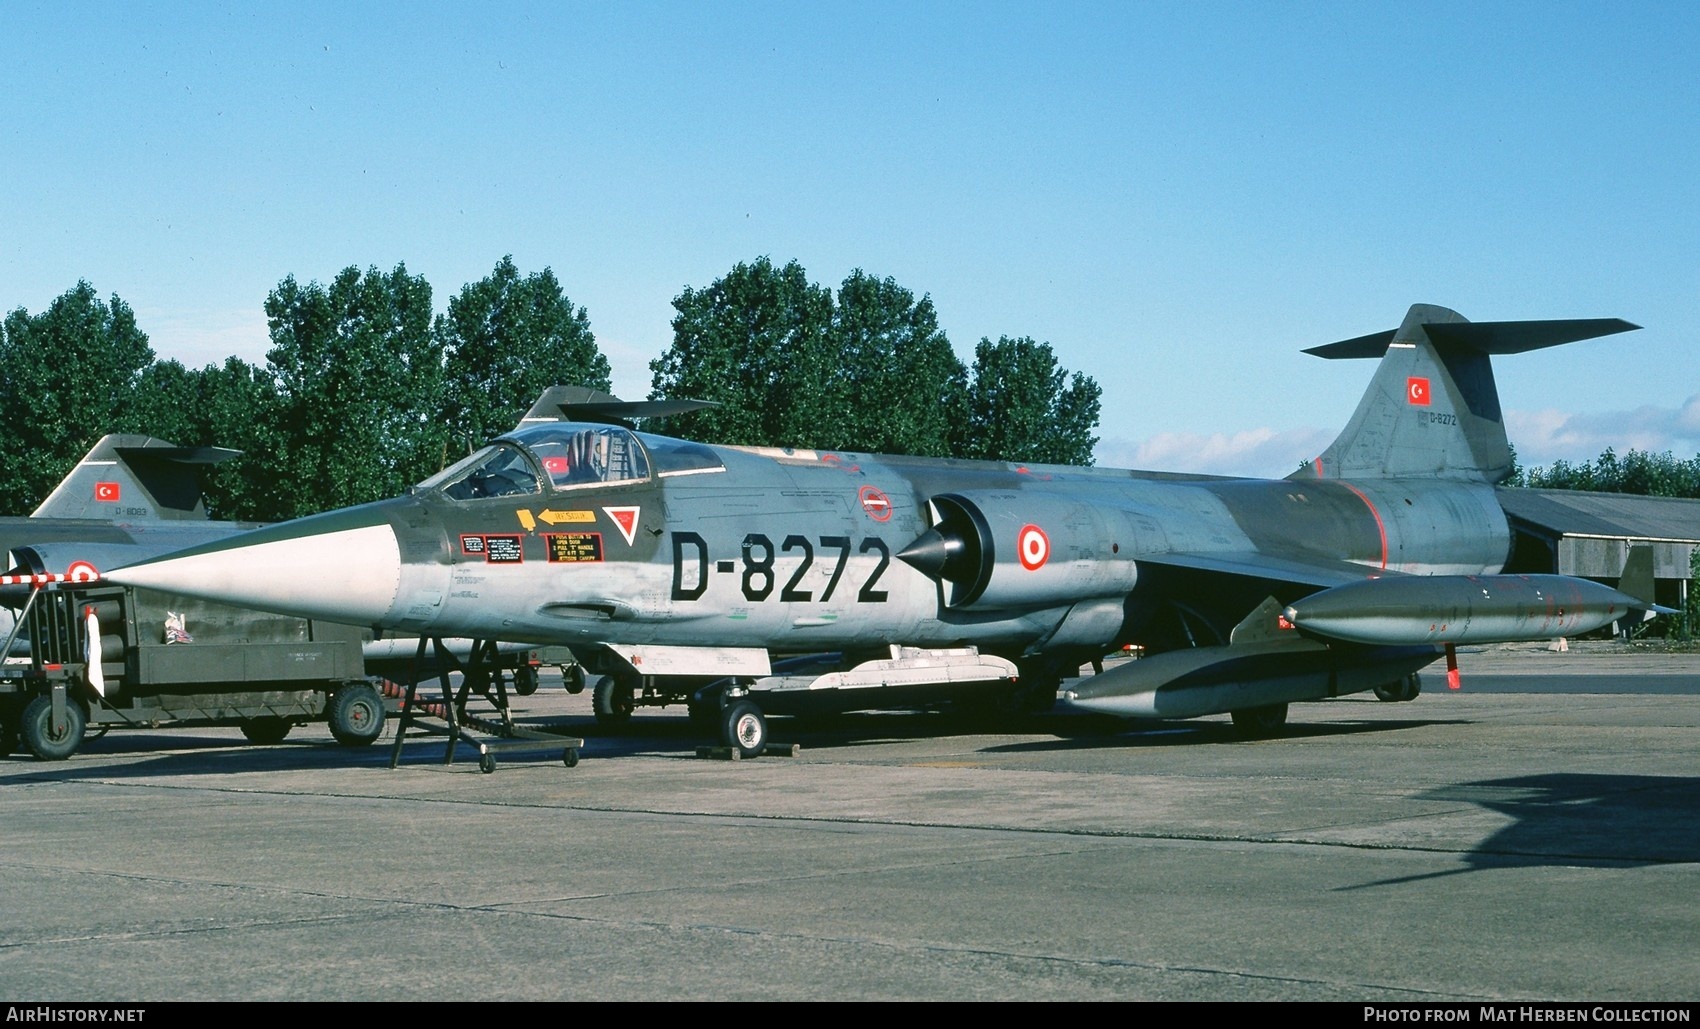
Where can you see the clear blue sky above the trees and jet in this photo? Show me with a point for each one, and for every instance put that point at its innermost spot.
(1176, 196)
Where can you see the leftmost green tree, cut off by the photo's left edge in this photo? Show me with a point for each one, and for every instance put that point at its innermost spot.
(67, 378)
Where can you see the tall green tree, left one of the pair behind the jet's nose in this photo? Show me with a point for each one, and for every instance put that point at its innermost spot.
(360, 392)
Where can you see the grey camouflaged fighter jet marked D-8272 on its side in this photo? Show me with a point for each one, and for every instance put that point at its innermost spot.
(747, 581)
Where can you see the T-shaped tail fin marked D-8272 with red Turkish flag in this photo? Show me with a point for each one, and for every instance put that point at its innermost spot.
(1434, 409)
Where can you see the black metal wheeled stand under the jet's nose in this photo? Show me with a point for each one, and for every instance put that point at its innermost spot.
(494, 734)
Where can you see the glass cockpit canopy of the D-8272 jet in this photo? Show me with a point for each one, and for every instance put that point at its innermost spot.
(569, 455)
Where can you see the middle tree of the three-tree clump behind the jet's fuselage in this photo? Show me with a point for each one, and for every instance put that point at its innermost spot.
(898, 384)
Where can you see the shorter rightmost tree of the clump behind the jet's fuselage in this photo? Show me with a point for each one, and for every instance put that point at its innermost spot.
(1023, 407)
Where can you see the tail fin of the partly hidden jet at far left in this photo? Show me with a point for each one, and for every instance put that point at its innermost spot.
(133, 479)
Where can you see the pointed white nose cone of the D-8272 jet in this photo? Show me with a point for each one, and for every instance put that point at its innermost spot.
(339, 567)
